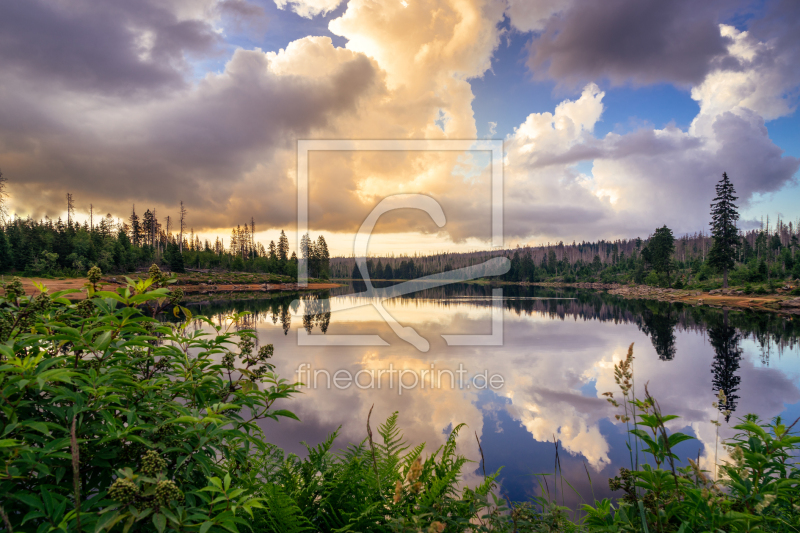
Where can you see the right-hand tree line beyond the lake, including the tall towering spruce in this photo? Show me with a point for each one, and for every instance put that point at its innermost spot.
(765, 254)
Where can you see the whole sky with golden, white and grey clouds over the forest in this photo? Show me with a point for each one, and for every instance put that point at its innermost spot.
(617, 117)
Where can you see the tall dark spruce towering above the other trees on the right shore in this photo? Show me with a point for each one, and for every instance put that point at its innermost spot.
(724, 215)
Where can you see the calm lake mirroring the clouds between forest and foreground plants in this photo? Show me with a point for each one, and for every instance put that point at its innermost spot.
(537, 394)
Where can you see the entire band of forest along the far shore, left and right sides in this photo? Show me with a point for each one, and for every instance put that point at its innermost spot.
(757, 259)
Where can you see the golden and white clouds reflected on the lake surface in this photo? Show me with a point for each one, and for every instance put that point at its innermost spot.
(544, 366)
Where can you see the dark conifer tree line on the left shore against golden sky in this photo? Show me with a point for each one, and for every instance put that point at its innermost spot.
(69, 248)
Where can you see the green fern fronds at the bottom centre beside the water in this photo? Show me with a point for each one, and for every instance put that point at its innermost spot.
(336, 491)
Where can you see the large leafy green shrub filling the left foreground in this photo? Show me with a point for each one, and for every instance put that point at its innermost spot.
(110, 418)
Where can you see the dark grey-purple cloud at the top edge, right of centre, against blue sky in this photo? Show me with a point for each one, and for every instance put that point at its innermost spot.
(631, 40)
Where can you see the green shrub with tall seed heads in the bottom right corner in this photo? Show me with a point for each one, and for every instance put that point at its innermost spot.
(756, 491)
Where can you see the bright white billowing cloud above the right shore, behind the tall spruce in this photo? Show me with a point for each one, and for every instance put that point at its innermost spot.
(650, 177)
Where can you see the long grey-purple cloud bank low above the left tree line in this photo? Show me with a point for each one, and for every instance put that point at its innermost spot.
(197, 146)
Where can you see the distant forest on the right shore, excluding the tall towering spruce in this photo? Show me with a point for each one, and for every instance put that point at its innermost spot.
(766, 254)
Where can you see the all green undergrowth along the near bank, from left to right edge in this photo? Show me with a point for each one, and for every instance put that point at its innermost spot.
(112, 420)
